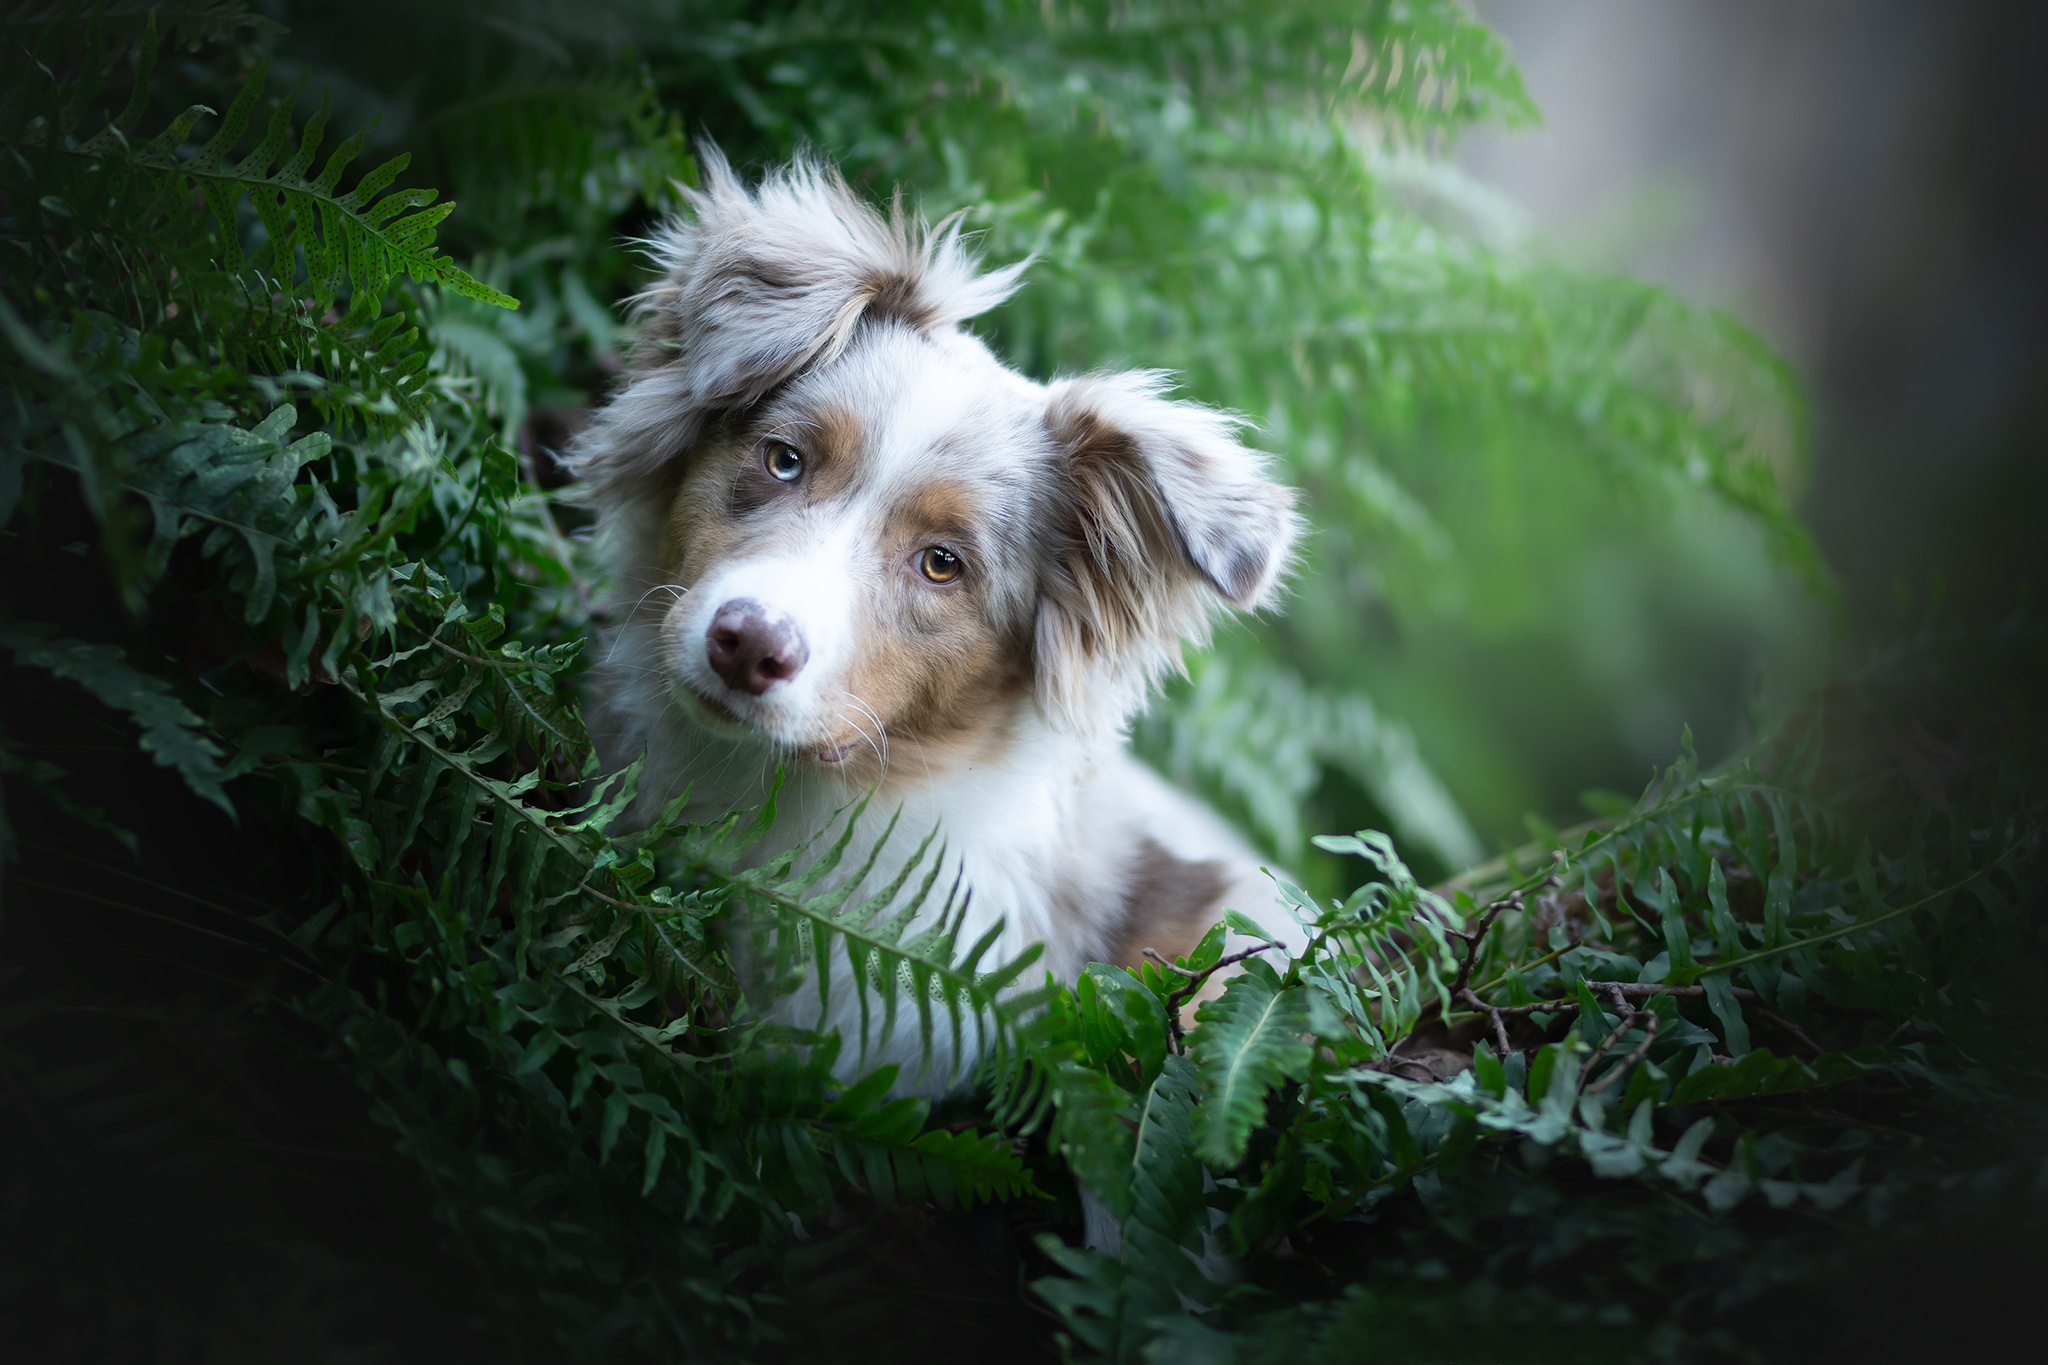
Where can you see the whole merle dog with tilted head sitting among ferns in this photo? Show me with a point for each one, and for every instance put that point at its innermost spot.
(851, 547)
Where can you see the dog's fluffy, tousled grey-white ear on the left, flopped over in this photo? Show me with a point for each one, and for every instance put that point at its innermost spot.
(755, 290)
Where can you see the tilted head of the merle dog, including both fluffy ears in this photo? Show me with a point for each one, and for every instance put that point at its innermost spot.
(859, 527)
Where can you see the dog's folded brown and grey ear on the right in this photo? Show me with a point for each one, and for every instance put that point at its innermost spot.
(1162, 513)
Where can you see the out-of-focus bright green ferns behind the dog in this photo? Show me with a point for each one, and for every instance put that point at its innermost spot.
(1551, 509)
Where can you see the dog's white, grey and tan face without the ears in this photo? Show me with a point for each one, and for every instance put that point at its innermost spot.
(853, 562)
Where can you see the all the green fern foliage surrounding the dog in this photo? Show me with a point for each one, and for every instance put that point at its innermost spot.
(337, 1026)
